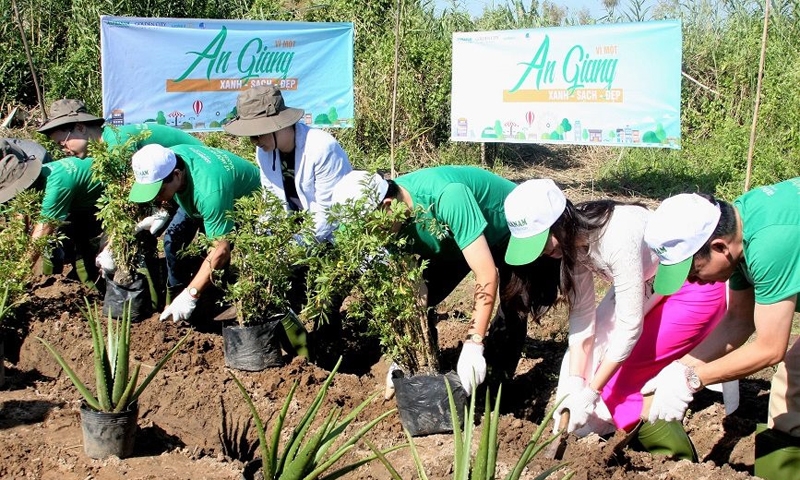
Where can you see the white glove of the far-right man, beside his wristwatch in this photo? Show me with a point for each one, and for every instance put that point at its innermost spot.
(672, 393)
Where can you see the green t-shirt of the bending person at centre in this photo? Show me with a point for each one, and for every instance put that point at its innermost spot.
(462, 202)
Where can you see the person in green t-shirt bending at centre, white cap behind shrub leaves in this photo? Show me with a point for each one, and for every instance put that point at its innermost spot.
(467, 203)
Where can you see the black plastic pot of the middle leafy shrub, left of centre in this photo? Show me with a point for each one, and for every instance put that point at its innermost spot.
(253, 347)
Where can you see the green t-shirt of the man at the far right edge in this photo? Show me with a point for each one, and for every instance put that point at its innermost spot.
(771, 238)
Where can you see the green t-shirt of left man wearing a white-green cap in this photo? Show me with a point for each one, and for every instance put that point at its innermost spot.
(216, 179)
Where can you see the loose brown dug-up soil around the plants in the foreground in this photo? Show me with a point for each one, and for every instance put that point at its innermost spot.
(194, 423)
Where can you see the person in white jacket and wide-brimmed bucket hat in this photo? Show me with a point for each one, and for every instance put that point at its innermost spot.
(299, 164)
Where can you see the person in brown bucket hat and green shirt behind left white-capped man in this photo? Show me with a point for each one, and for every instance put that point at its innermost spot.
(72, 127)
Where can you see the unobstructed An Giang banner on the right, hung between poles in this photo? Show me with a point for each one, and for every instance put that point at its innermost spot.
(616, 85)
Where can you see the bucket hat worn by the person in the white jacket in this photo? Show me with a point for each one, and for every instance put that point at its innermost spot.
(260, 110)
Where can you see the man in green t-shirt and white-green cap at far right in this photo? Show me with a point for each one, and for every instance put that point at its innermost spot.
(753, 243)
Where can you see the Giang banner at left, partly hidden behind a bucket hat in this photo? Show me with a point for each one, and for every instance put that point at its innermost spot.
(188, 72)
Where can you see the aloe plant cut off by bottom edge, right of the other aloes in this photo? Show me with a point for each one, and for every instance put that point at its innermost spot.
(482, 465)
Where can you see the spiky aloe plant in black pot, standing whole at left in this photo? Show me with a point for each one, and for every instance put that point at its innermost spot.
(109, 417)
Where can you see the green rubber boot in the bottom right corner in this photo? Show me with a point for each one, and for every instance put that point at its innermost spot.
(777, 454)
